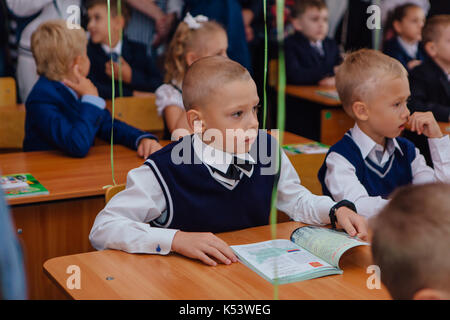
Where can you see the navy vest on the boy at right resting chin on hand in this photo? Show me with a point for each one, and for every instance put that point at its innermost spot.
(378, 181)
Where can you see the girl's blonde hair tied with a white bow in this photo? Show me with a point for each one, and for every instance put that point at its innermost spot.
(184, 40)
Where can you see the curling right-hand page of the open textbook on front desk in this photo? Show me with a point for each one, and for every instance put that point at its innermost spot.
(325, 243)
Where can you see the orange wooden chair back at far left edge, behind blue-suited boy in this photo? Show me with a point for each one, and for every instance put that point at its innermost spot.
(12, 127)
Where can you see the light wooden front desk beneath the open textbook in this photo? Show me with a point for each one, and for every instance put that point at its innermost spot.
(176, 277)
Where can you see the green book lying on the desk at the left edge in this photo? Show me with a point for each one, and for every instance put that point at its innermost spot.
(21, 185)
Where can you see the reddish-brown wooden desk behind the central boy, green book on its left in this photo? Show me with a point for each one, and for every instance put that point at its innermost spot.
(59, 224)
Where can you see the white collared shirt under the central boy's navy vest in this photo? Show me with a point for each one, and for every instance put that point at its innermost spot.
(124, 223)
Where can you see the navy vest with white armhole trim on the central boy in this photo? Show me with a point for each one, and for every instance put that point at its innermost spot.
(196, 202)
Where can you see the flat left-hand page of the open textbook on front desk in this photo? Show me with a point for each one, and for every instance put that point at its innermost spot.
(282, 260)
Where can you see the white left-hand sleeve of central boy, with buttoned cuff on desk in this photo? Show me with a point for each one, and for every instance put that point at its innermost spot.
(124, 223)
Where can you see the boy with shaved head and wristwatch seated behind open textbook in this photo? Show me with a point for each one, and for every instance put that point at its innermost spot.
(215, 180)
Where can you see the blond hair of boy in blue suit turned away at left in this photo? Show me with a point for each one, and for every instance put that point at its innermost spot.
(55, 48)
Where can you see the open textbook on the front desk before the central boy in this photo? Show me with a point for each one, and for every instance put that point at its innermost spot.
(311, 252)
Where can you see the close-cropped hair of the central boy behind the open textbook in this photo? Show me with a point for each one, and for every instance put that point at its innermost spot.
(207, 76)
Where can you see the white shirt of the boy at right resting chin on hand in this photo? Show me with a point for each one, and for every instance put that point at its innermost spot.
(342, 182)
